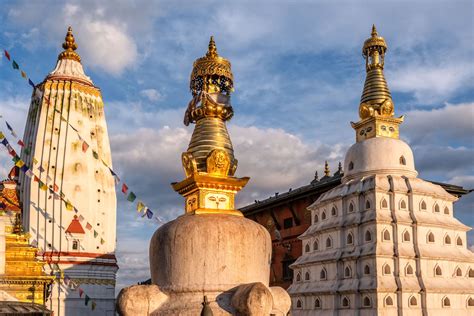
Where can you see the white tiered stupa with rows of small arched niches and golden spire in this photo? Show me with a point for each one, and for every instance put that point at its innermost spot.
(383, 242)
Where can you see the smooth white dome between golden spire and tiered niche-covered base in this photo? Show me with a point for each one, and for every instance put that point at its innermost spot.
(379, 155)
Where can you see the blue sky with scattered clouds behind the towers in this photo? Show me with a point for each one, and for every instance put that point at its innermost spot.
(298, 76)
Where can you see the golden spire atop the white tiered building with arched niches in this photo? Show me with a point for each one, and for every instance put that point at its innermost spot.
(376, 108)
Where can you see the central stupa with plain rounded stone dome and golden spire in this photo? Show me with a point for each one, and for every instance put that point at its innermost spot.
(211, 260)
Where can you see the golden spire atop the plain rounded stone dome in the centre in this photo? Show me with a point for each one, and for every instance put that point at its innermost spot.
(209, 163)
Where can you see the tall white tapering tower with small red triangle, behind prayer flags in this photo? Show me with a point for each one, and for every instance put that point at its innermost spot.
(66, 110)
